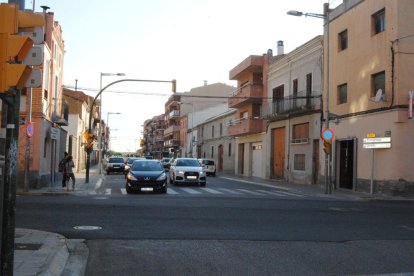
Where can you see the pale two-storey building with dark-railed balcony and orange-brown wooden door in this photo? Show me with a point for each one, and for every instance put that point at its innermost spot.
(291, 146)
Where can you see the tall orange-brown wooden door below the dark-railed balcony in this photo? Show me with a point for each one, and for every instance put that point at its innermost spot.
(278, 139)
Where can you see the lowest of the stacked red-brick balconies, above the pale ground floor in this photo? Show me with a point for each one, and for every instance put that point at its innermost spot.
(245, 126)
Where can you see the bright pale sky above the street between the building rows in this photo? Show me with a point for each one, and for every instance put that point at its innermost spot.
(192, 41)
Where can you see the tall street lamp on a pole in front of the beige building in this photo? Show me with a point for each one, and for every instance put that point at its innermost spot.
(325, 17)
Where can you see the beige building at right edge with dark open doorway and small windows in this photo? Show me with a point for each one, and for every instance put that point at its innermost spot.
(371, 72)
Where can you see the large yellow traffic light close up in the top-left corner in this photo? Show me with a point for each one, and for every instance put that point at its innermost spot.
(16, 51)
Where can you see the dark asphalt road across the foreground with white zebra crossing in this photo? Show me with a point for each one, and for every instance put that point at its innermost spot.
(228, 227)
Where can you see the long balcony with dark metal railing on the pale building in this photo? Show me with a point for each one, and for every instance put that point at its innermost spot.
(291, 107)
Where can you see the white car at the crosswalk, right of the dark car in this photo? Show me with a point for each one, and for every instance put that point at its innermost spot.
(187, 171)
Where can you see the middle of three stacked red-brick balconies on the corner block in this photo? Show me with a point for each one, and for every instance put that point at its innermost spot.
(249, 93)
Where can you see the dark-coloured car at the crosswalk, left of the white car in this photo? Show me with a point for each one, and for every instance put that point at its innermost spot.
(146, 176)
